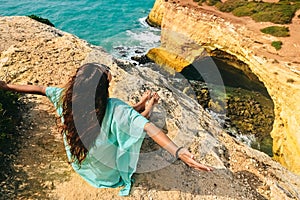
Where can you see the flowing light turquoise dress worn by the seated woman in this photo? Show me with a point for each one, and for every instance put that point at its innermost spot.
(112, 160)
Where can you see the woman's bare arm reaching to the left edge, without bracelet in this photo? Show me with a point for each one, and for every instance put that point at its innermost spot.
(30, 89)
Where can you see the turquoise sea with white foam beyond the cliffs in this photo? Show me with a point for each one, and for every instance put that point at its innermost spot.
(117, 26)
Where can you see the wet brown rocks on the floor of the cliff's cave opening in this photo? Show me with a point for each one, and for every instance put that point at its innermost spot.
(248, 113)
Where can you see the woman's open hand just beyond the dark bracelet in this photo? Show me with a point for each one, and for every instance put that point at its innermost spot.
(188, 158)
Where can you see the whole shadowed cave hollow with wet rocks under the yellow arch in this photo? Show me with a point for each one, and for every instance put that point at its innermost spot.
(236, 96)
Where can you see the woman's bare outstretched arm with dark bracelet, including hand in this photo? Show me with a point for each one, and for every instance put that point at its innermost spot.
(164, 141)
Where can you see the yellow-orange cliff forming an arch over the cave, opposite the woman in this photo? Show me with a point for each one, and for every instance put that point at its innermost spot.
(241, 38)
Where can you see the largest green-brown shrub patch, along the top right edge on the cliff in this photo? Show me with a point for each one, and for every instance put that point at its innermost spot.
(278, 13)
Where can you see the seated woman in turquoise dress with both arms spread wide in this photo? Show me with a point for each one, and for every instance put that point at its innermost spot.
(103, 135)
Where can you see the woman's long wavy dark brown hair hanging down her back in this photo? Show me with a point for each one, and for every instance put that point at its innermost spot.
(84, 104)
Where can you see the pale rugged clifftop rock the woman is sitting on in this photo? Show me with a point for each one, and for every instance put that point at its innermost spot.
(34, 53)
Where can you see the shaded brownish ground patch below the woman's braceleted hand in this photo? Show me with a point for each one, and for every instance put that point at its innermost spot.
(183, 181)
